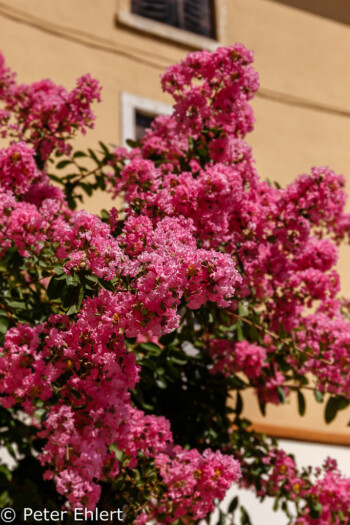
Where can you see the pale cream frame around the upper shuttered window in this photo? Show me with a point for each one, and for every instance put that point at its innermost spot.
(125, 17)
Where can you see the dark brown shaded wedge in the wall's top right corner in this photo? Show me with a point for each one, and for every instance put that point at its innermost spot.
(338, 10)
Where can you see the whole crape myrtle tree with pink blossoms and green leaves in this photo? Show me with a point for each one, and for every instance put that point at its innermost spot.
(124, 335)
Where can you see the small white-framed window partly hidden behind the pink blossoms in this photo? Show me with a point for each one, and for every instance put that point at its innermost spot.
(137, 114)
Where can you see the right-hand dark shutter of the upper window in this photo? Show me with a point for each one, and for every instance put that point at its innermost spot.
(198, 17)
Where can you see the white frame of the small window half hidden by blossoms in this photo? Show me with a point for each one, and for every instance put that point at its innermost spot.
(130, 104)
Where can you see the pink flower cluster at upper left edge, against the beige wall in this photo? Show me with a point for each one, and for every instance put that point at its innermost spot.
(44, 114)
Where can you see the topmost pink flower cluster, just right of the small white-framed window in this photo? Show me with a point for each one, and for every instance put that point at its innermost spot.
(211, 93)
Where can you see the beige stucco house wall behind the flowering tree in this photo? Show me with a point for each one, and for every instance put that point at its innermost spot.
(298, 54)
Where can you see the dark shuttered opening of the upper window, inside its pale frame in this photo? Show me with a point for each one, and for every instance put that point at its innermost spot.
(196, 16)
